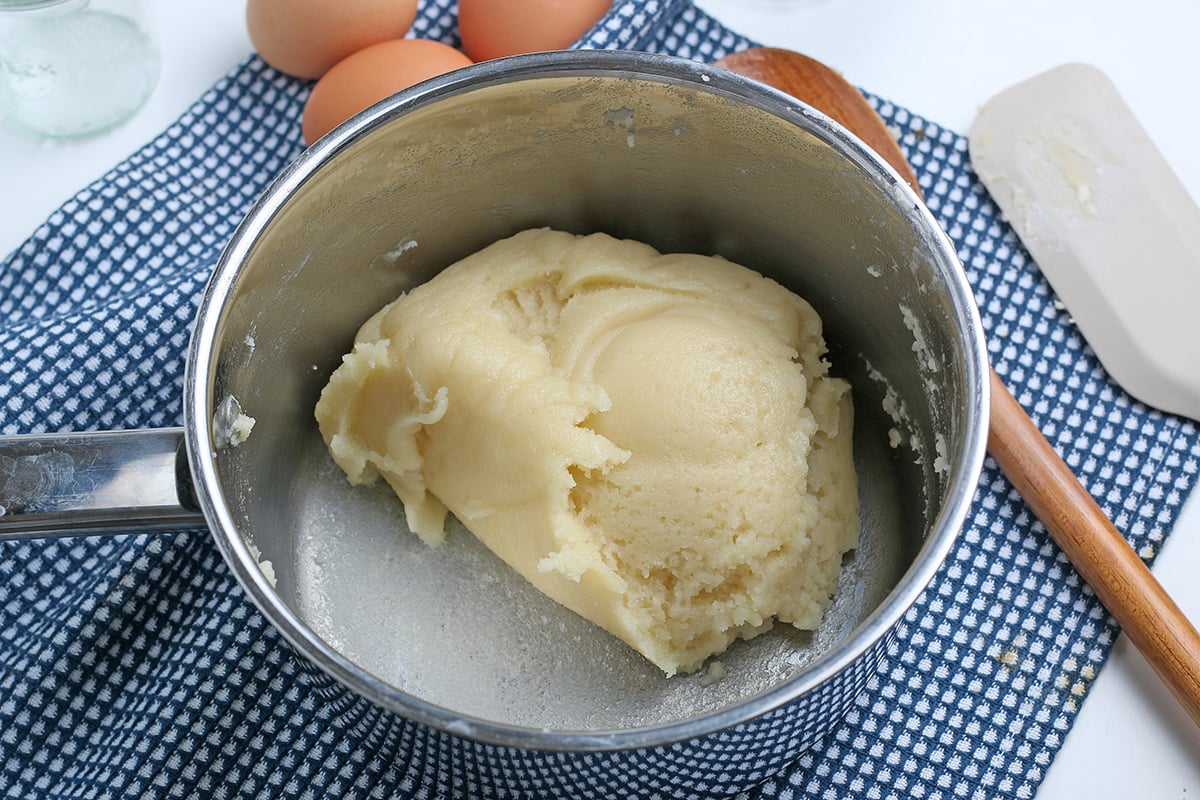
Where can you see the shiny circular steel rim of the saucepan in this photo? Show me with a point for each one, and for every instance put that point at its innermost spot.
(202, 364)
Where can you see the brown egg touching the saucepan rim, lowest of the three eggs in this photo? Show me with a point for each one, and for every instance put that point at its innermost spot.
(371, 75)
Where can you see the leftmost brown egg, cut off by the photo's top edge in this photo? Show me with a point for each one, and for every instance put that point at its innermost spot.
(307, 38)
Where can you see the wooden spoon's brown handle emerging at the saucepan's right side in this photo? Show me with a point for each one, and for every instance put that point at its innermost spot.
(1097, 550)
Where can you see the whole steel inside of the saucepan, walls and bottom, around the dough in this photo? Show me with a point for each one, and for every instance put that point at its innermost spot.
(685, 165)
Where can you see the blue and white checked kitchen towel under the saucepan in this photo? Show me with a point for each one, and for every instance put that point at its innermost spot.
(135, 666)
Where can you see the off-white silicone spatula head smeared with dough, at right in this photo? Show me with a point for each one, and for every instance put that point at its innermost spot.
(1107, 220)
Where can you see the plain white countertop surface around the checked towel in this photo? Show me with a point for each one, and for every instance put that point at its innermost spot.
(941, 59)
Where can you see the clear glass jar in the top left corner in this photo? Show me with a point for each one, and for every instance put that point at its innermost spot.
(74, 68)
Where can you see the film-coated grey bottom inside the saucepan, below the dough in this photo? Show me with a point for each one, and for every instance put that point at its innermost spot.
(457, 627)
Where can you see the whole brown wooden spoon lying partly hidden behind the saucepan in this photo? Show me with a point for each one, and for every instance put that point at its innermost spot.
(1101, 555)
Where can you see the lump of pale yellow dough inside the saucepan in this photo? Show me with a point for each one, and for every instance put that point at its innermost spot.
(652, 441)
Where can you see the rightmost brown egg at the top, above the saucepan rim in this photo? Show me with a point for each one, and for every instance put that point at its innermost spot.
(495, 28)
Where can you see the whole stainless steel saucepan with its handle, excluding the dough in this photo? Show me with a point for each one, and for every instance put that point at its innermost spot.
(500, 681)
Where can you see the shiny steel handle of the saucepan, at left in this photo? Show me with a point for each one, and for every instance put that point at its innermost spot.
(88, 484)
